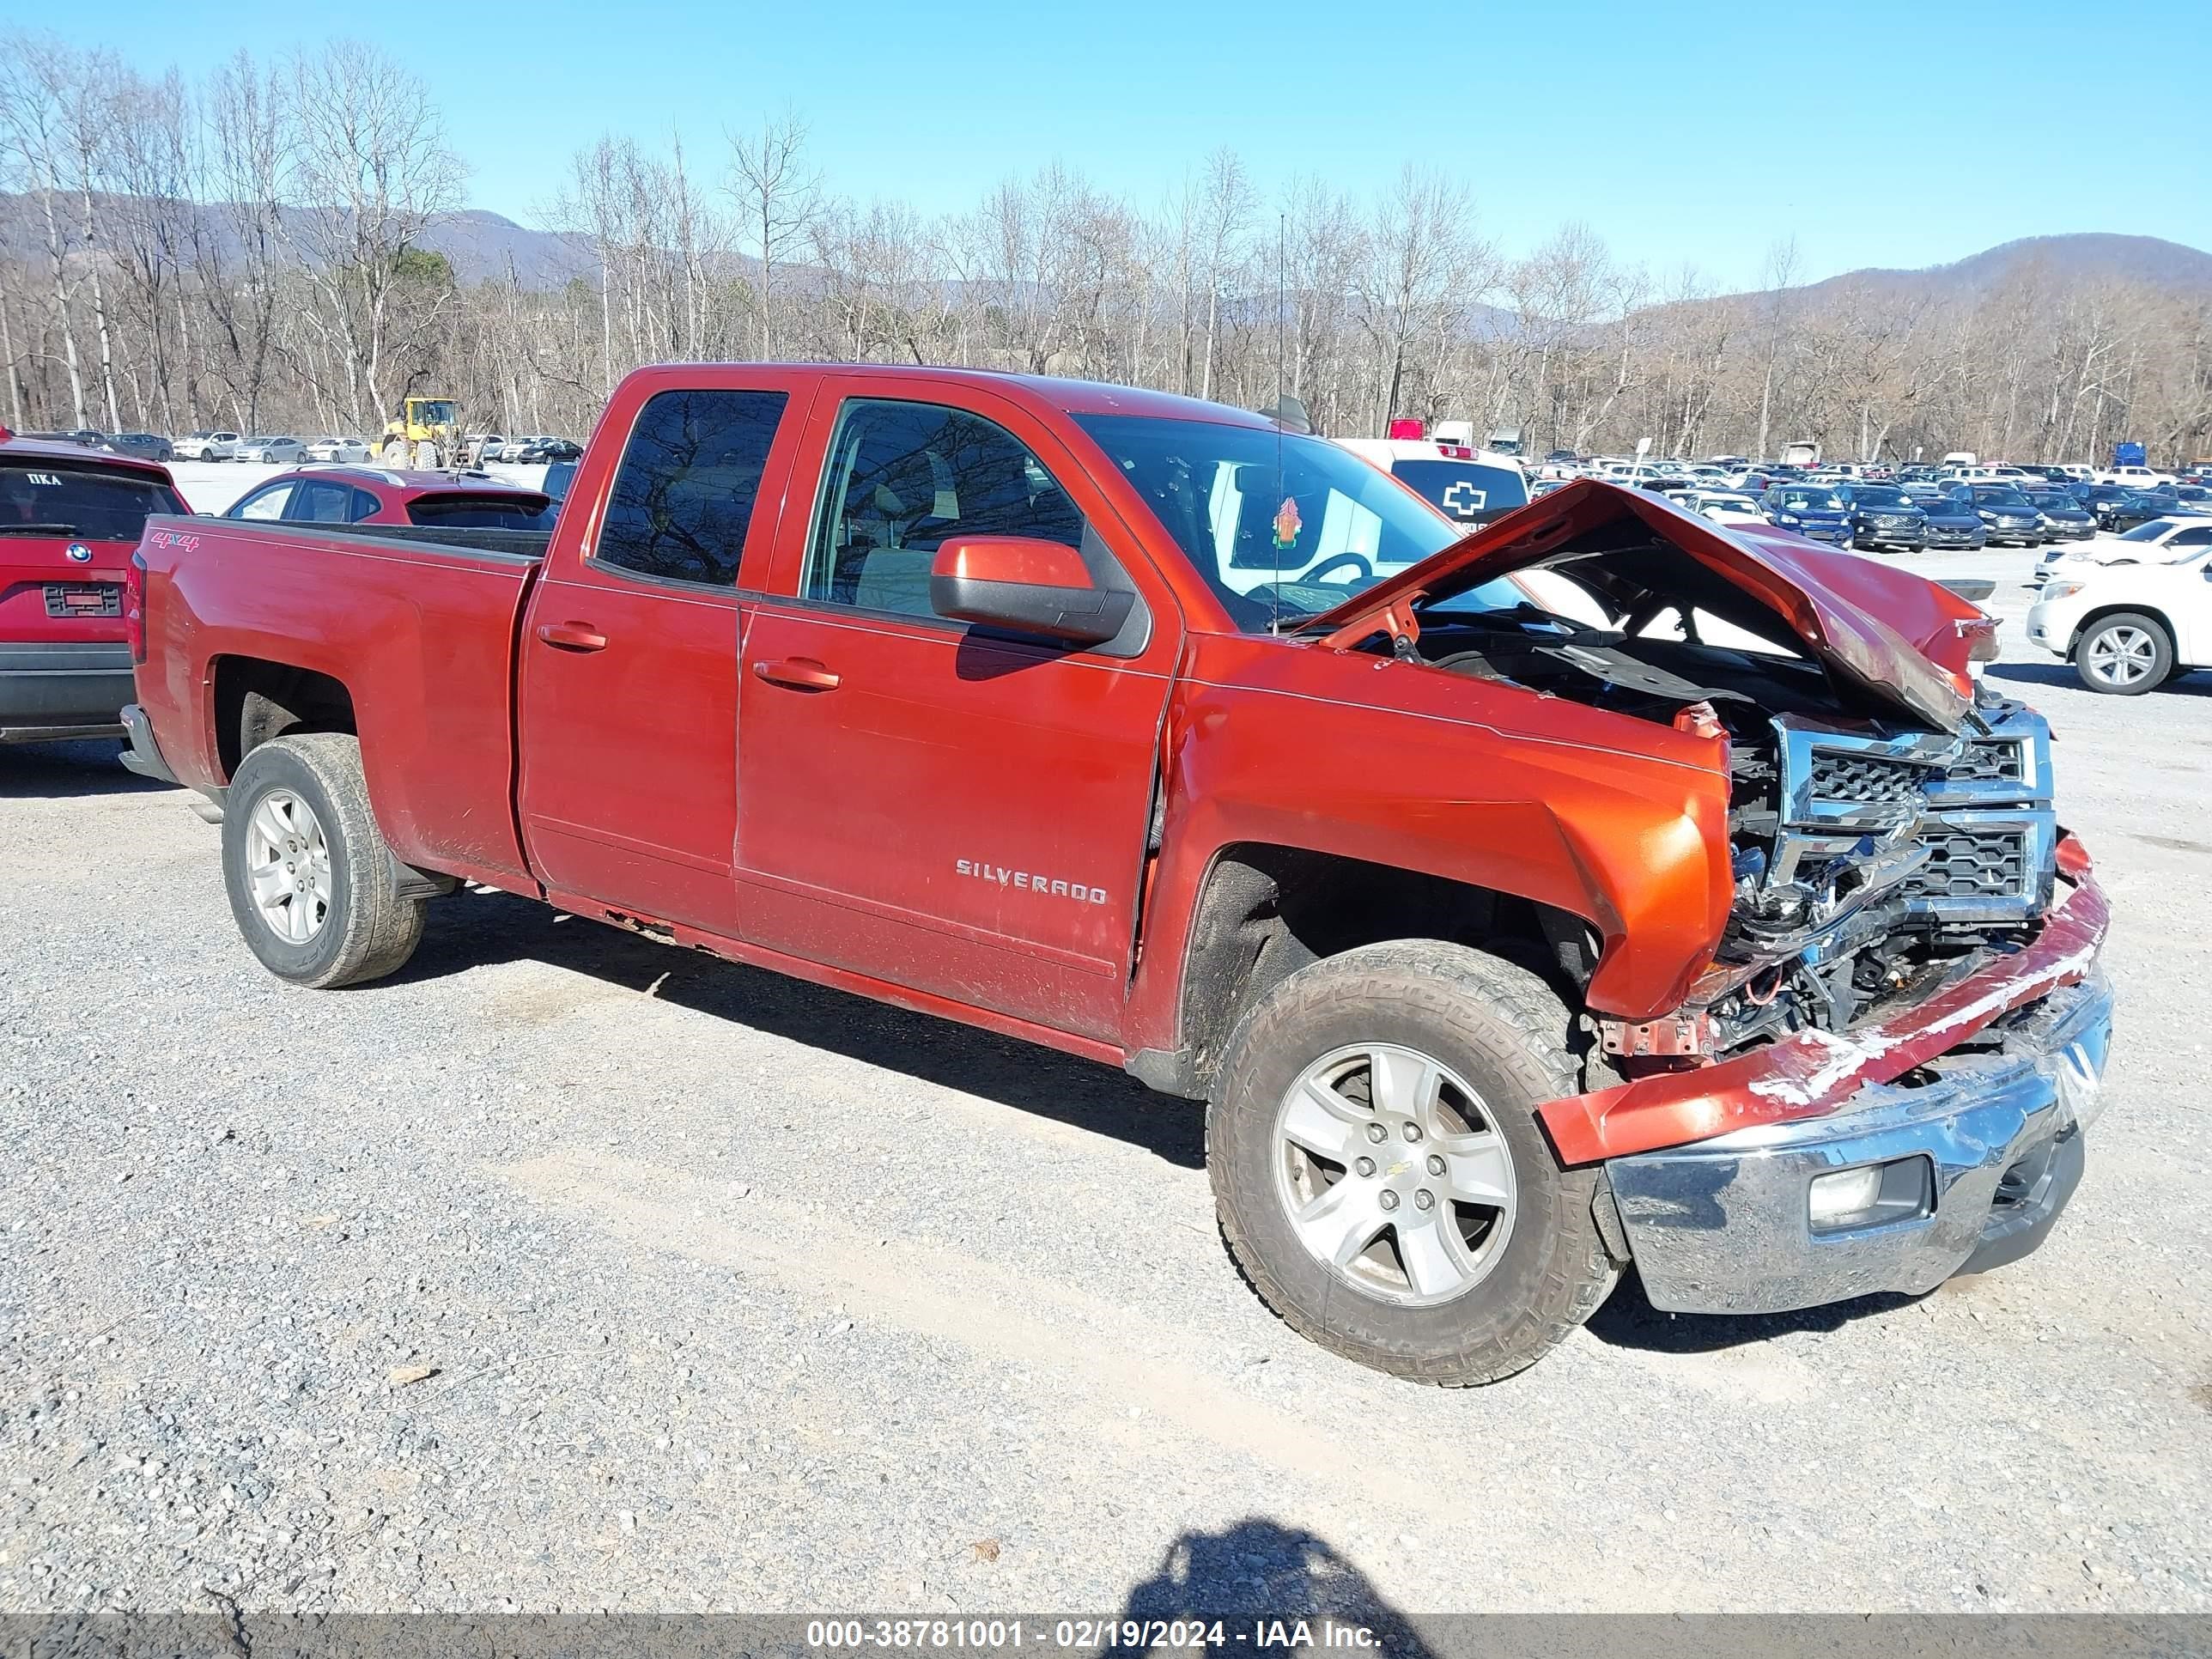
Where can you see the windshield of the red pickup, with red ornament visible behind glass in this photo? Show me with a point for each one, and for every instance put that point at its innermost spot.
(1282, 528)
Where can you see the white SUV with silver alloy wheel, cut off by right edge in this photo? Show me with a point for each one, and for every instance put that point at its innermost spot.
(2129, 629)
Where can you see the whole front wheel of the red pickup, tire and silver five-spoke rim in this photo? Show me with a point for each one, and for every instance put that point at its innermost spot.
(1381, 1176)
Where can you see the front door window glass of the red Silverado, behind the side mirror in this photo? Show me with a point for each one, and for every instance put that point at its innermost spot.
(904, 479)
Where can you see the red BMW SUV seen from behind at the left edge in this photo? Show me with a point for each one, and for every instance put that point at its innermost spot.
(70, 521)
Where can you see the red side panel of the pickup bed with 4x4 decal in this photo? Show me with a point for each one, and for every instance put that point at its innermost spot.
(424, 649)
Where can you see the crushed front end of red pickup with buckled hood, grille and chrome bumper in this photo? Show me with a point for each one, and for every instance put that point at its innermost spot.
(1886, 1070)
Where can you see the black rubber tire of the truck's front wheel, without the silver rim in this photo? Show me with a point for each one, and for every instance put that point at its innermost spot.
(1507, 1036)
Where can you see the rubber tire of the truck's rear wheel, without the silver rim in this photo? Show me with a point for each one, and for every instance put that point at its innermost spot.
(371, 926)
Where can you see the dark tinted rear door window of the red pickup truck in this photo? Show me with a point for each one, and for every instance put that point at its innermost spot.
(691, 472)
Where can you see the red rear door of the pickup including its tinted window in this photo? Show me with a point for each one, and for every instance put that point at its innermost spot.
(629, 649)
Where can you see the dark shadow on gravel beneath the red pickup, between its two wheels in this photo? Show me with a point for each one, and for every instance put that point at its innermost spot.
(474, 930)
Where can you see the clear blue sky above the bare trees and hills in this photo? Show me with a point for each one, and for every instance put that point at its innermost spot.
(1875, 134)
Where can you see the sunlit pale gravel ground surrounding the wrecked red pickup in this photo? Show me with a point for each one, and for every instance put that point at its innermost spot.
(747, 1295)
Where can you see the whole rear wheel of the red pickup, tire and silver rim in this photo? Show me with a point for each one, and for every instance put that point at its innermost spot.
(313, 884)
